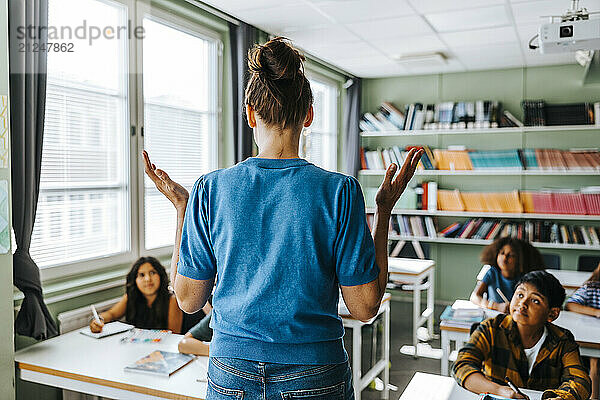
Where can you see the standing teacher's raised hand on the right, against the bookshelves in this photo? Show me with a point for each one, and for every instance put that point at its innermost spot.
(390, 190)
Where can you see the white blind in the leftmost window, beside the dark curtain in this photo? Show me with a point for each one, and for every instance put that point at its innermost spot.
(83, 202)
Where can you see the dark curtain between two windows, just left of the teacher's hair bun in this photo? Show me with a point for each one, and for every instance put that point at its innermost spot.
(242, 37)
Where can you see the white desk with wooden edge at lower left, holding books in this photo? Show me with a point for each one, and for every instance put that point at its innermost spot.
(83, 364)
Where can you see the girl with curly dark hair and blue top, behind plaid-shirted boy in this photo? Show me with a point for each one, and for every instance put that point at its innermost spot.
(506, 260)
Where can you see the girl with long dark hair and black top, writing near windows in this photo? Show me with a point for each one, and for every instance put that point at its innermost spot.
(147, 303)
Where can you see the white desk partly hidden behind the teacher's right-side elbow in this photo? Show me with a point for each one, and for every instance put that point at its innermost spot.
(360, 380)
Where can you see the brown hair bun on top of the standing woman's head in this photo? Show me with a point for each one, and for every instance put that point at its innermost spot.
(275, 60)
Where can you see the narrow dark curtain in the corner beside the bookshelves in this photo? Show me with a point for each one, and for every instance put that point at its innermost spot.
(351, 130)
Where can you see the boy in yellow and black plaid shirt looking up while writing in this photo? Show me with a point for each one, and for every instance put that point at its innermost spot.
(525, 347)
